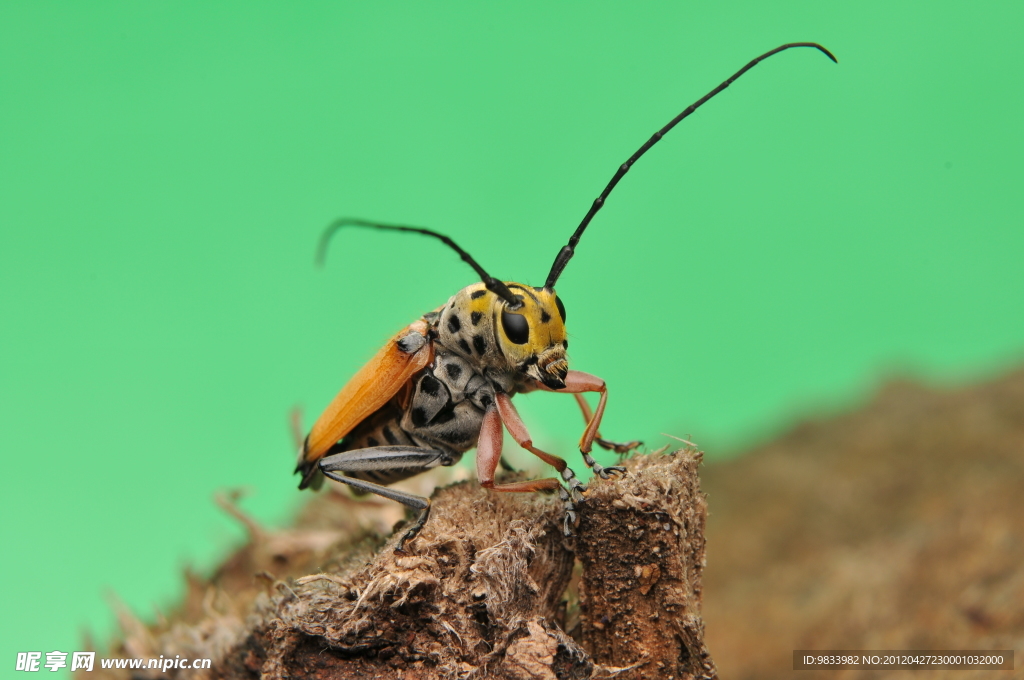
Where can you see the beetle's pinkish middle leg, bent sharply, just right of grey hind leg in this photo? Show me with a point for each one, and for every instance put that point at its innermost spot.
(489, 453)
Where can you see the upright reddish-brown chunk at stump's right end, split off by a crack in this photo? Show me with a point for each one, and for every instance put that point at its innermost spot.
(643, 550)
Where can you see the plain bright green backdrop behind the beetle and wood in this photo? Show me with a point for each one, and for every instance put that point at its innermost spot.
(166, 169)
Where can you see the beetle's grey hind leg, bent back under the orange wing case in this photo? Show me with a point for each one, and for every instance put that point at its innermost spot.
(388, 458)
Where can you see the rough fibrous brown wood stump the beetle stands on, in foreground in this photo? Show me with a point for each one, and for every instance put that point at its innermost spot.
(484, 592)
